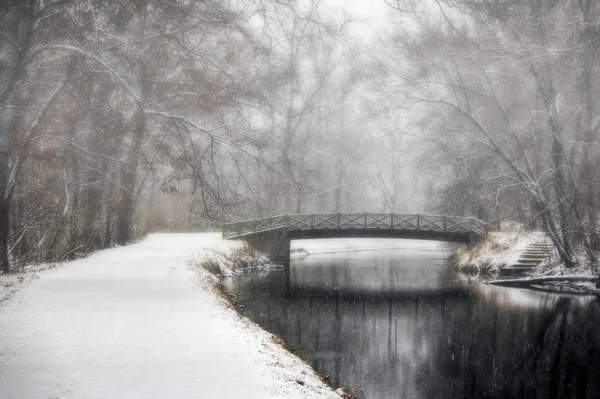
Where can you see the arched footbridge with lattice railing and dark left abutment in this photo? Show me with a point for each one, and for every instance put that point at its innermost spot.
(273, 234)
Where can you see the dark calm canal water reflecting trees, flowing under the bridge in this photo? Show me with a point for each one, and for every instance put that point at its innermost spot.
(393, 325)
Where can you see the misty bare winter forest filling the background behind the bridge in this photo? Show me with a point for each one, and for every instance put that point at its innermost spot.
(124, 117)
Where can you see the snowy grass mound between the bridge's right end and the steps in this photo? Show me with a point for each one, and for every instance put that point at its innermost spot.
(496, 250)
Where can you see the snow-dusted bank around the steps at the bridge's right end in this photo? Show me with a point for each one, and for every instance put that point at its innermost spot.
(484, 261)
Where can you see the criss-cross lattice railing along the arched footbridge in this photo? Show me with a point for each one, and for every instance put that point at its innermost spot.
(341, 220)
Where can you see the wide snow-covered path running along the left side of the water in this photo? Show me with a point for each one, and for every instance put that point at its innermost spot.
(131, 322)
